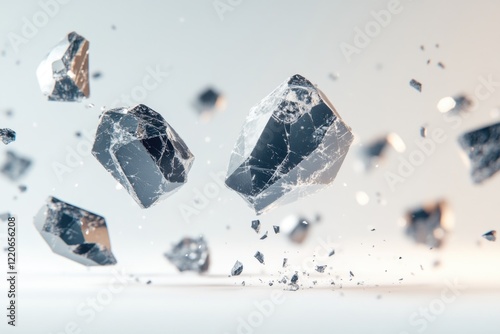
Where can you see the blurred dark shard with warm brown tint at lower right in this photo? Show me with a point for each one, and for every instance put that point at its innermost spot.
(429, 224)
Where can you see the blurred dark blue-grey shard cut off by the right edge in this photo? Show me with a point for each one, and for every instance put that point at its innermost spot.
(482, 146)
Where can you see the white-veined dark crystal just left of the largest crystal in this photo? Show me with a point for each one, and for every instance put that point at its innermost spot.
(143, 152)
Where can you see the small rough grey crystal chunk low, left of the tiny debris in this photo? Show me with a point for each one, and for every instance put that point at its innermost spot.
(190, 255)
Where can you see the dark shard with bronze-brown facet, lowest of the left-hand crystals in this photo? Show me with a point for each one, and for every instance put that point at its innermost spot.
(75, 233)
